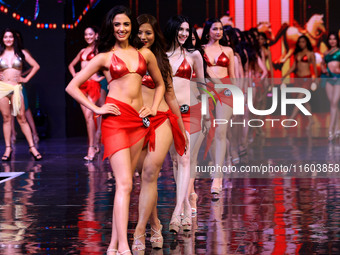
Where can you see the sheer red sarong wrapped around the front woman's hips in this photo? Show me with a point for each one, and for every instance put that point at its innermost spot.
(122, 131)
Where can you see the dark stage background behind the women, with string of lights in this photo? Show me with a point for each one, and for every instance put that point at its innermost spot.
(54, 49)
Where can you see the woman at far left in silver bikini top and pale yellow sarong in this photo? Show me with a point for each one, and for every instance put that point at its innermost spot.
(11, 98)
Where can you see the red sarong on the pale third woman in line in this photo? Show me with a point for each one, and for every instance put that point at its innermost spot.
(192, 119)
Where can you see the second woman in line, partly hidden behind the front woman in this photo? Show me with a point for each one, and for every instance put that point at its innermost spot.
(168, 126)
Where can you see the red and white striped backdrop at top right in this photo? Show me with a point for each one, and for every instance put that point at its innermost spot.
(248, 13)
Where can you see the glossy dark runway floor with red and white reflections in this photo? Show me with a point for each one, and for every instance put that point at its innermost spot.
(63, 205)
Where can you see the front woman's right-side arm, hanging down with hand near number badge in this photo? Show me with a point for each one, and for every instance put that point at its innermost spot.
(156, 76)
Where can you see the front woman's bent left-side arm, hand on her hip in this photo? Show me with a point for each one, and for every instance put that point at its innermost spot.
(96, 64)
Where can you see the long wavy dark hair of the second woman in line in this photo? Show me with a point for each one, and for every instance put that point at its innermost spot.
(158, 46)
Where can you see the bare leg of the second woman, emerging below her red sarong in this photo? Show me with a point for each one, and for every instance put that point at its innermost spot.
(151, 168)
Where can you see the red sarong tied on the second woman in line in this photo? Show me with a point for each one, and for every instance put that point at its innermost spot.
(178, 136)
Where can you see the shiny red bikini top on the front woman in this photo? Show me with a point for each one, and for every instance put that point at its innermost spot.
(118, 67)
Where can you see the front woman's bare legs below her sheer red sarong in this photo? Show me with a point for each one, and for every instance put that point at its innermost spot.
(123, 164)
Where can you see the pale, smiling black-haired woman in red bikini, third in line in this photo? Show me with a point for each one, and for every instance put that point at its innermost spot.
(184, 62)
